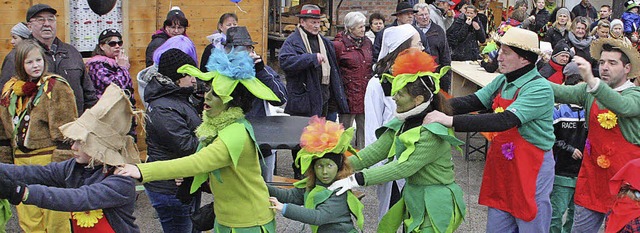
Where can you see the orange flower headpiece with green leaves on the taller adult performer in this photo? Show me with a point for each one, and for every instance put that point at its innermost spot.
(412, 64)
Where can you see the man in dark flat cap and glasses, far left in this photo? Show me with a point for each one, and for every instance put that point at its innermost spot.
(63, 59)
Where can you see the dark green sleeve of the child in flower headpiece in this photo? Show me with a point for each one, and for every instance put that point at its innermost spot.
(333, 210)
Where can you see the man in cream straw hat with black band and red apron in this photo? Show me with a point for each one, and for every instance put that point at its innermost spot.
(519, 171)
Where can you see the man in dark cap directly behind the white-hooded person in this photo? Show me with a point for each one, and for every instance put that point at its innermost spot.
(404, 15)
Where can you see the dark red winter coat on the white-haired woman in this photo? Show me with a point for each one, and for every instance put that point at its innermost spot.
(355, 69)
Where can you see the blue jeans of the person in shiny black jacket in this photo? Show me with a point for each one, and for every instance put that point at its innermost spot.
(174, 216)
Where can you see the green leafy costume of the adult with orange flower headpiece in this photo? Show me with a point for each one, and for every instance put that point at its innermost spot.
(422, 156)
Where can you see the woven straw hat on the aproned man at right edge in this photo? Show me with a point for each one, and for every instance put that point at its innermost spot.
(627, 49)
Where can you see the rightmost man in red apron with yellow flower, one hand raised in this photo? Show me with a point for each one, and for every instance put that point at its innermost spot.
(612, 103)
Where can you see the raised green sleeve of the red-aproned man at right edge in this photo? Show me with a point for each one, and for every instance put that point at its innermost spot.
(625, 105)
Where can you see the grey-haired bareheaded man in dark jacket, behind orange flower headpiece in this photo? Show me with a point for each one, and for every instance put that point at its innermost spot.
(437, 41)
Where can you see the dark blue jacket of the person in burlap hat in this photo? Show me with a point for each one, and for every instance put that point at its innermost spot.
(71, 187)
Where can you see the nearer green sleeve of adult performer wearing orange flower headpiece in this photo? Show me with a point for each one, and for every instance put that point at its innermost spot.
(395, 170)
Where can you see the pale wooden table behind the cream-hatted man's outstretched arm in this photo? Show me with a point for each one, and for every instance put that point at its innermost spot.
(466, 78)
